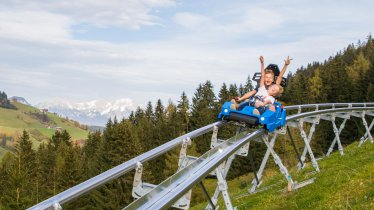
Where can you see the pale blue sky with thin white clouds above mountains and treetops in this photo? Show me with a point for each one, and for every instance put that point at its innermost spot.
(143, 50)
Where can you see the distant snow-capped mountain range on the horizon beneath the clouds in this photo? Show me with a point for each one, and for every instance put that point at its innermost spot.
(96, 112)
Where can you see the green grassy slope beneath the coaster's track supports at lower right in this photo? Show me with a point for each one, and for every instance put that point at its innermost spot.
(345, 182)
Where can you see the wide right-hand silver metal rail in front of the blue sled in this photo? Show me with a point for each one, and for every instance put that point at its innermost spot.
(165, 194)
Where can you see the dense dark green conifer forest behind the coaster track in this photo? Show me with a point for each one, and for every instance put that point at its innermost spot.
(30, 176)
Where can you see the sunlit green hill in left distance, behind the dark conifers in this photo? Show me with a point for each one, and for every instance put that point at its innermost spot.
(40, 126)
